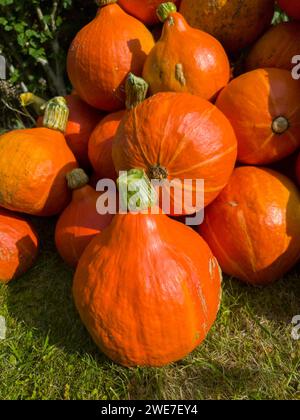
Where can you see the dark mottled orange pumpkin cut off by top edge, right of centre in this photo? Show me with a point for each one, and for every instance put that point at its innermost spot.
(235, 23)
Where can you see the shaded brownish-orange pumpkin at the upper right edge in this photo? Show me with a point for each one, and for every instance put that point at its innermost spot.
(276, 48)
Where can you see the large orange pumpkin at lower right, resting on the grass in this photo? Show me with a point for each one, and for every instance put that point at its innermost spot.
(253, 227)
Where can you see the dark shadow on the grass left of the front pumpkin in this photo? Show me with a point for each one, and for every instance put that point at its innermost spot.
(42, 299)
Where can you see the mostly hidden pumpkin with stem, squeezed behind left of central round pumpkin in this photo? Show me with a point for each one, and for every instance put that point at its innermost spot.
(101, 140)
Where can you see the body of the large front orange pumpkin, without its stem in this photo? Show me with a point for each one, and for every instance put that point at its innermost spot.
(166, 282)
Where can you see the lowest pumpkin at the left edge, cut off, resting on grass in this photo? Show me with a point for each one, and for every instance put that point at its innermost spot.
(18, 246)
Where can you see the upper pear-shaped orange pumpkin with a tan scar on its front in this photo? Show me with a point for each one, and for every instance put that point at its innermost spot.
(203, 63)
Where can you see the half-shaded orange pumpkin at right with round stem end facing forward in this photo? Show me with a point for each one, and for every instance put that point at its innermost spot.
(251, 102)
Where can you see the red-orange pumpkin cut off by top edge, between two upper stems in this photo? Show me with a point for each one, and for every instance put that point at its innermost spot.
(144, 10)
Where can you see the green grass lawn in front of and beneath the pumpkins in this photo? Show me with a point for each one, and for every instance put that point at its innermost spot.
(249, 353)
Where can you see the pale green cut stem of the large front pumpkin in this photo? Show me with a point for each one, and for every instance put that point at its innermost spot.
(136, 191)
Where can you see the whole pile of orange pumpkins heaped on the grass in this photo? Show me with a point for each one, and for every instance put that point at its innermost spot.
(148, 287)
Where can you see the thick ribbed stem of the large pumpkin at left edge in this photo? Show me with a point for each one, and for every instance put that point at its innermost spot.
(56, 114)
